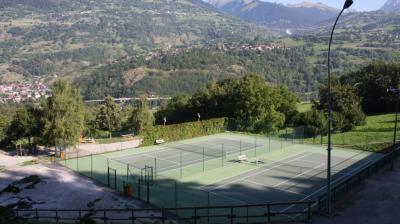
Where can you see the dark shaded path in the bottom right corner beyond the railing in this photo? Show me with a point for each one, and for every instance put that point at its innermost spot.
(375, 201)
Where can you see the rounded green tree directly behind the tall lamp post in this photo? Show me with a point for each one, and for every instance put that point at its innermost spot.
(346, 106)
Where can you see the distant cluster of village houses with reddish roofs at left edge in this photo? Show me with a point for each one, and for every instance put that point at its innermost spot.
(24, 92)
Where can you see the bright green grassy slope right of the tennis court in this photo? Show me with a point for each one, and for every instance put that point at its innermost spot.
(375, 135)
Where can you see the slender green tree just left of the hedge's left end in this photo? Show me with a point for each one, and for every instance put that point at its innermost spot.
(141, 117)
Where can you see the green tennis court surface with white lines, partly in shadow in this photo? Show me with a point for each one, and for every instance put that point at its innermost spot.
(205, 171)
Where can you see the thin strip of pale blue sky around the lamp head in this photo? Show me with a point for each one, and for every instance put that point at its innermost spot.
(359, 5)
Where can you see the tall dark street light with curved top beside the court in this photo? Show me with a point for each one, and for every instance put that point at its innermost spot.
(346, 5)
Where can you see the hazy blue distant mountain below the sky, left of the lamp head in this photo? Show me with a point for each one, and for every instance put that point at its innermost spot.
(277, 16)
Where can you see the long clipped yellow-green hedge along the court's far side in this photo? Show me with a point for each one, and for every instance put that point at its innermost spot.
(181, 131)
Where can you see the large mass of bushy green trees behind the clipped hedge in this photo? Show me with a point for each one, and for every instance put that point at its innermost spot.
(250, 102)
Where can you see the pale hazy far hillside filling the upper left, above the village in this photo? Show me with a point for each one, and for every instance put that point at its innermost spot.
(57, 37)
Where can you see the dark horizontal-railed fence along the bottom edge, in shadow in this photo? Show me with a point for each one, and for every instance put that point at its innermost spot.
(260, 213)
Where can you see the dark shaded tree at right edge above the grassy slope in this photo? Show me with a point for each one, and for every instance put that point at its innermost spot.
(372, 83)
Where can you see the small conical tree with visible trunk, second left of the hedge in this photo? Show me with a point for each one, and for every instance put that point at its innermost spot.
(109, 116)
